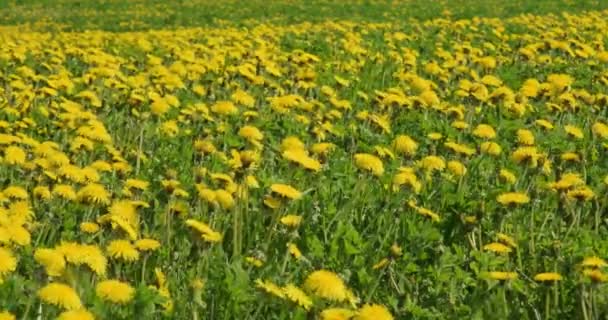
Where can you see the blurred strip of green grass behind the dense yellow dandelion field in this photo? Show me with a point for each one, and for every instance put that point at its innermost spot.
(120, 15)
